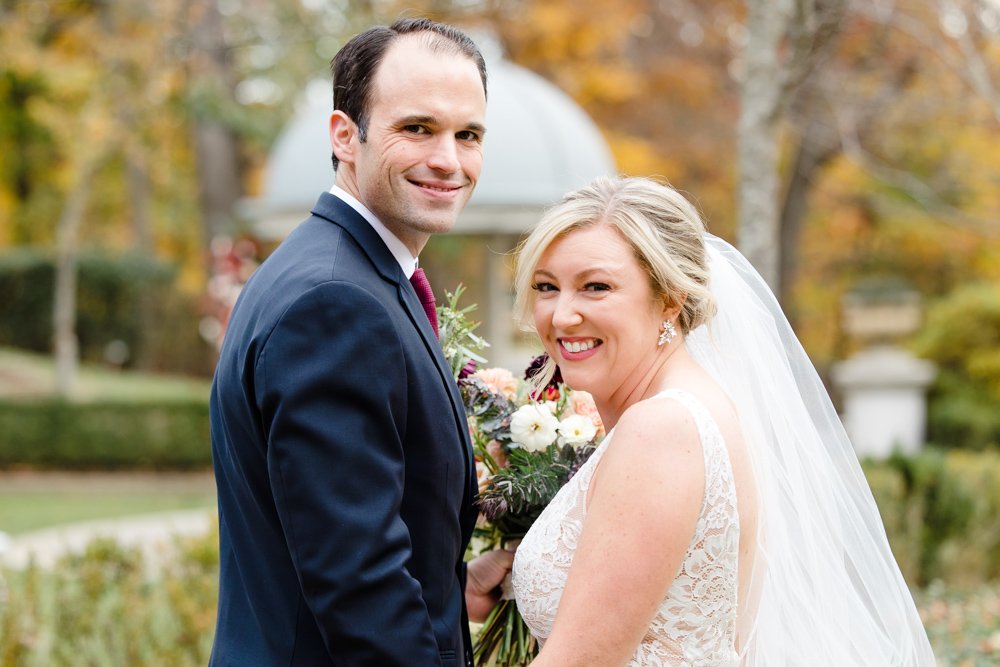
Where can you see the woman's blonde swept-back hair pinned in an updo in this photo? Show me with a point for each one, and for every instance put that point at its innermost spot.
(665, 232)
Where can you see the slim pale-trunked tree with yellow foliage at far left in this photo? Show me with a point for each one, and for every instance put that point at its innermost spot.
(86, 60)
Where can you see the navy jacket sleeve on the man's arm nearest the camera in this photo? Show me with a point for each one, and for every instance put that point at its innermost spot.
(332, 391)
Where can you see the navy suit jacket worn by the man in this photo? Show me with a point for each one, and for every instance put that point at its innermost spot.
(345, 475)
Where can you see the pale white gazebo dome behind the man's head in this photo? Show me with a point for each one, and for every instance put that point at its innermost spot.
(539, 145)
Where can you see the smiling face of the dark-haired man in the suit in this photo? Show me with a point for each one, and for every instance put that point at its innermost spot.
(423, 153)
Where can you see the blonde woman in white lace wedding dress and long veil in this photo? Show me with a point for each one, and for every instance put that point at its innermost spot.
(724, 520)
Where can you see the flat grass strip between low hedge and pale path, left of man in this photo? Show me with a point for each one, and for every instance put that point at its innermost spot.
(34, 500)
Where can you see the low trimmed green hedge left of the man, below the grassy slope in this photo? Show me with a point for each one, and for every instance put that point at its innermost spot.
(105, 435)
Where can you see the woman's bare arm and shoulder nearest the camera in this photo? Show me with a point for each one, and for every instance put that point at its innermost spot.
(643, 507)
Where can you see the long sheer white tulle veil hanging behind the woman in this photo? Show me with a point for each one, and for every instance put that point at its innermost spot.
(825, 588)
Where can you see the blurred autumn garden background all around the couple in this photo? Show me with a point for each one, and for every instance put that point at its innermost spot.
(153, 154)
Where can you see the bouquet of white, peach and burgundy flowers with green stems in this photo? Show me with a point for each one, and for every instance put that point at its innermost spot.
(527, 445)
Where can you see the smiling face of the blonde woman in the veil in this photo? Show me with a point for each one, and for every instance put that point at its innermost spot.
(595, 311)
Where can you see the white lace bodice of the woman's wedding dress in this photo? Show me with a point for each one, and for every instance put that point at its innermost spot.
(696, 622)
